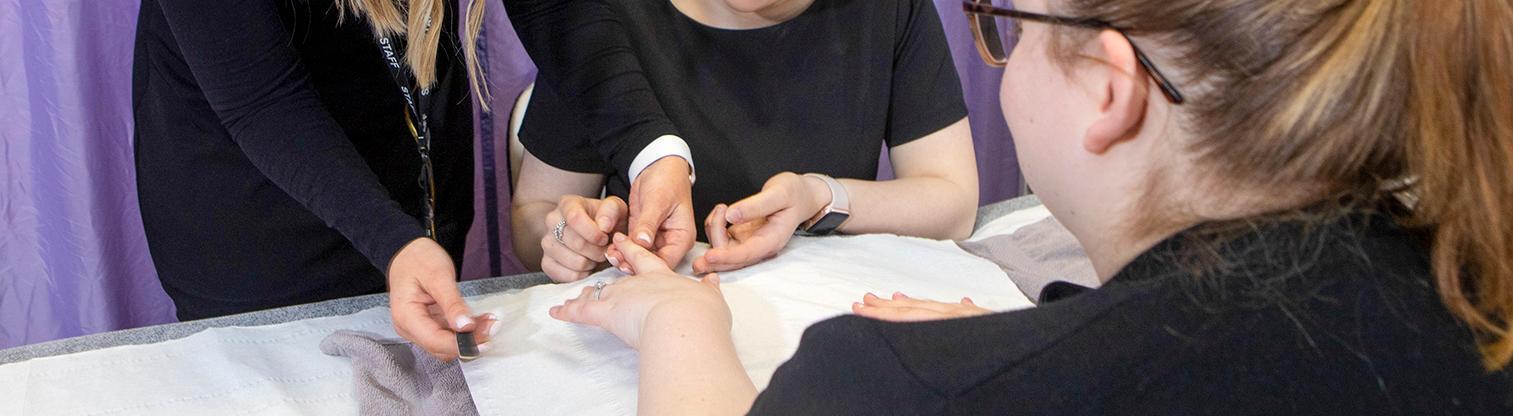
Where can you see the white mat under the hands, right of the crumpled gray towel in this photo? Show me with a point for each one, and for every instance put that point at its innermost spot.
(544, 367)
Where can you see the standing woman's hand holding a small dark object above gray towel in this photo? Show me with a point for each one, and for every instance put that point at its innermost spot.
(424, 302)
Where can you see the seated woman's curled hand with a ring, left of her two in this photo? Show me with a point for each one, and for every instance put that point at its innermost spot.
(585, 237)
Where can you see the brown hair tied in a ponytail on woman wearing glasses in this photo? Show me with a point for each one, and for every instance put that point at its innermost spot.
(1353, 98)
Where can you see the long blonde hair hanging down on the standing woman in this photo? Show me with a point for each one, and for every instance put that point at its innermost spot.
(402, 17)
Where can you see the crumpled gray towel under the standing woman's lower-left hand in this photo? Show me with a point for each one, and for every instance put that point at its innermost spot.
(400, 379)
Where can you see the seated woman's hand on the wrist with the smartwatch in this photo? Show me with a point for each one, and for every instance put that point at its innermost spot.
(762, 225)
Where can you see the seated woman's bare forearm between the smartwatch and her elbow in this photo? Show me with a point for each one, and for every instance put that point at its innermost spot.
(933, 208)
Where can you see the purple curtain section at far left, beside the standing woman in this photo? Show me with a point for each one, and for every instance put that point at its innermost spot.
(73, 258)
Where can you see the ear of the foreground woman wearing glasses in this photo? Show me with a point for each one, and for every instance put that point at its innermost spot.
(1125, 93)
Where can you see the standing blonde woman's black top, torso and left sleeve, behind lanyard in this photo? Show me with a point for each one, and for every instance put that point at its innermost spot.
(275, 164)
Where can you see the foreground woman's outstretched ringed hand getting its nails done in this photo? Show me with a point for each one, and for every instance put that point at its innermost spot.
(653, 297)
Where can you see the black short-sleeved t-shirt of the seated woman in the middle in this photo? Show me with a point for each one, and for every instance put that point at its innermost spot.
(821, 93)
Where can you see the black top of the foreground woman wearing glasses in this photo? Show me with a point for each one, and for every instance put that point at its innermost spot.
(1338, 320)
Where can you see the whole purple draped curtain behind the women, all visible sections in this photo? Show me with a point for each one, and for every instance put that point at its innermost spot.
(73, 259)
